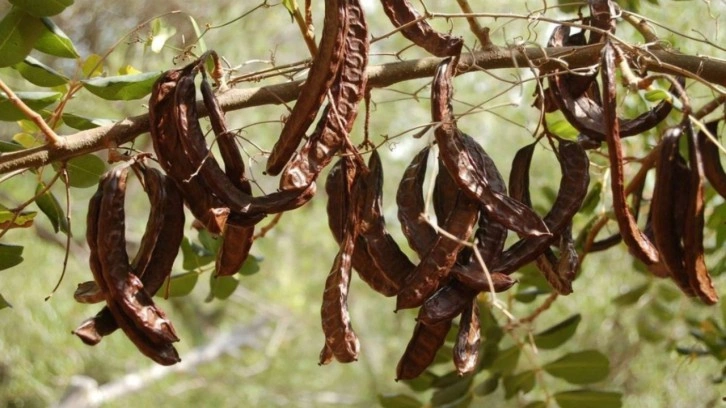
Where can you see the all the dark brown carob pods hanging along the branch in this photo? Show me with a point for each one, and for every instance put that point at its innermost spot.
(460, 255)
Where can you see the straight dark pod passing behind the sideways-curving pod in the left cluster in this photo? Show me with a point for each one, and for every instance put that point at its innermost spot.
(237, 239)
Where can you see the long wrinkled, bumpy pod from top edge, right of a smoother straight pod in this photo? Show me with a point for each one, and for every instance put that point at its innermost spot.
(331, 132)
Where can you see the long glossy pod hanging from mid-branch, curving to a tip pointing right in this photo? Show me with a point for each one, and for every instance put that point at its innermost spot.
(459, 162)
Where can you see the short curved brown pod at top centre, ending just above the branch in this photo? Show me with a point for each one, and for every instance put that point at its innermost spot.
(402, 14)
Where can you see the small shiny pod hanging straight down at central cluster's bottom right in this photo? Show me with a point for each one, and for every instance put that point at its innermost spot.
(468, 339)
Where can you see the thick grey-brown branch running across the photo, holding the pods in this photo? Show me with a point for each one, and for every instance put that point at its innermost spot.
(380, 76)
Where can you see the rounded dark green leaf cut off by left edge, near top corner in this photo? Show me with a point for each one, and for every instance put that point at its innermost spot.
(19, 32)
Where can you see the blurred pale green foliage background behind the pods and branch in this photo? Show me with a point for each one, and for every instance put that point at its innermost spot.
(637, 330)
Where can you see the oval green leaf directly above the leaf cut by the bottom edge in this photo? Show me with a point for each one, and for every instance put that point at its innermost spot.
(583, 367)
